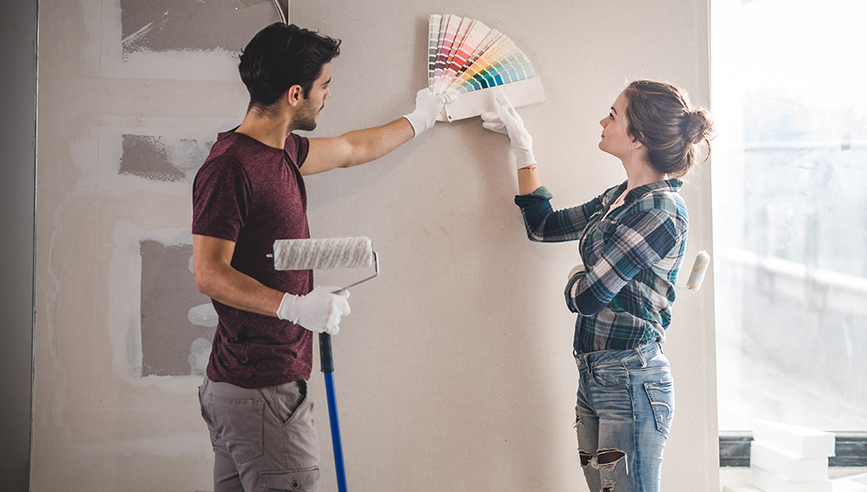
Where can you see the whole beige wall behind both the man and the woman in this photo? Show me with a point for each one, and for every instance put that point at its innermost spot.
(454, 370)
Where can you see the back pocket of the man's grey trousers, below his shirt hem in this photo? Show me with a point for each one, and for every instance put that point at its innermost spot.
(240, 423)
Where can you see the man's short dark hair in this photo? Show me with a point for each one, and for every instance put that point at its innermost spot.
(280, 56)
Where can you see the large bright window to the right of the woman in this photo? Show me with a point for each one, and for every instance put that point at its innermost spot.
(790, 212)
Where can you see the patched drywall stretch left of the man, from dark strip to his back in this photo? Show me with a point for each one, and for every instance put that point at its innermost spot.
(120, 328)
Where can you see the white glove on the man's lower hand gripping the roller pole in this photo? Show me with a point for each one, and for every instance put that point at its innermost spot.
(318, 311)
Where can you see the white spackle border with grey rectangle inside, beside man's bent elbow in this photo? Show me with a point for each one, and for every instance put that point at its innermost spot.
(161, 326)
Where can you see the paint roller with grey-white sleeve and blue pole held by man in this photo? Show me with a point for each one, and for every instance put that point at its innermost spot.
(315, 254)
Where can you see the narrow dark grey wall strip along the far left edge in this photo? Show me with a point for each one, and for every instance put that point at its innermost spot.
(18, 141)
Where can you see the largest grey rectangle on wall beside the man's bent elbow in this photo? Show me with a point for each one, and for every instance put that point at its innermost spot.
(171, 344)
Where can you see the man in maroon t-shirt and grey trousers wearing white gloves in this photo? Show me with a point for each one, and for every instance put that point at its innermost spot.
(248, 193)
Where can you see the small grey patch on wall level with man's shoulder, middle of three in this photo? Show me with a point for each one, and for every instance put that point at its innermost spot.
(161, 159)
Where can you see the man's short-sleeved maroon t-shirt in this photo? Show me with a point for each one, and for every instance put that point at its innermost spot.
(253, 194)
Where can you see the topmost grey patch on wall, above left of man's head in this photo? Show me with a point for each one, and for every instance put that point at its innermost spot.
(191, 25)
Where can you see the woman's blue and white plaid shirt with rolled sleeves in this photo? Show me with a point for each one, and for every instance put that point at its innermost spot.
(632, 257)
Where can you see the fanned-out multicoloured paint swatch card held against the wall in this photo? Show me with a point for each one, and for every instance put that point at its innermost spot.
(468, 59)
